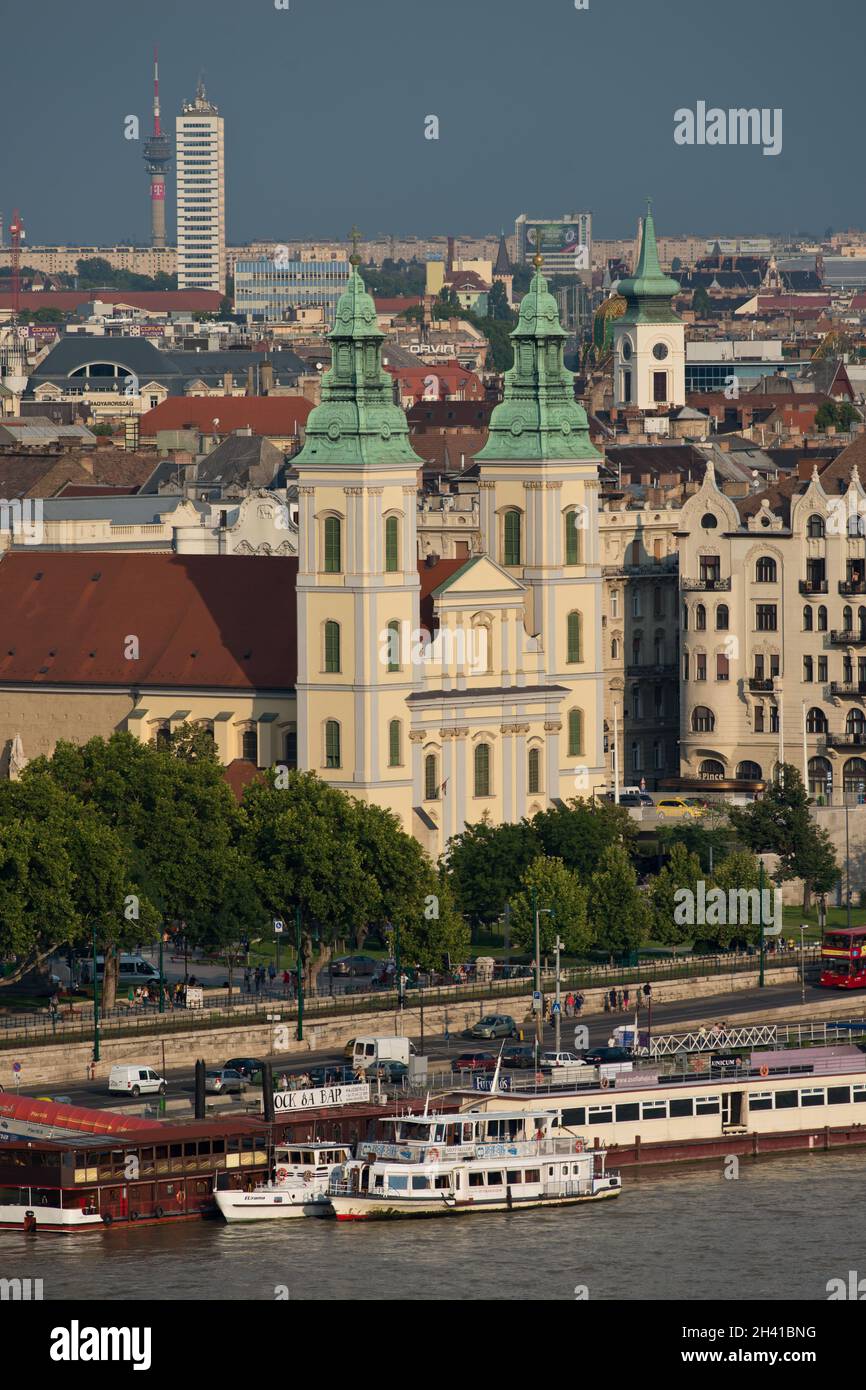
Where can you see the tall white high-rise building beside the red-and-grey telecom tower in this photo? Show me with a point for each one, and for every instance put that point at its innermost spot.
(201, 195)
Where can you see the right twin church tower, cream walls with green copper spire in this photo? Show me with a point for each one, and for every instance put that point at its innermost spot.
(539, 482)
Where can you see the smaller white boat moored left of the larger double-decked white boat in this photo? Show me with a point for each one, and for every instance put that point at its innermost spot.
(298, 1188)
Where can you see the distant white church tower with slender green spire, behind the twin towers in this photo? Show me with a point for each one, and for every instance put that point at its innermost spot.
(650, 343)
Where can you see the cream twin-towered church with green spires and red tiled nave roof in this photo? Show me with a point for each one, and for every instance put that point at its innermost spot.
(441, 689)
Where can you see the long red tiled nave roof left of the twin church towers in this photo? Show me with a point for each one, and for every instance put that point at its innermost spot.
(202, 621)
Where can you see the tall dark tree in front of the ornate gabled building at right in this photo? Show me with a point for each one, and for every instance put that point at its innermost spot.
(781, 824)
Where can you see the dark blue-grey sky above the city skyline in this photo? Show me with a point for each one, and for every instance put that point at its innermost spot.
(543, 109)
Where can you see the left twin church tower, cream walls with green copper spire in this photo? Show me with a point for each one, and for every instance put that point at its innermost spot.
(358, 576)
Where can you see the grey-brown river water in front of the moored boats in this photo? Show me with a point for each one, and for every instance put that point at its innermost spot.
(781, 1231)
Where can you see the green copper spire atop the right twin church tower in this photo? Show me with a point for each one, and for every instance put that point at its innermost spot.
(539, 418)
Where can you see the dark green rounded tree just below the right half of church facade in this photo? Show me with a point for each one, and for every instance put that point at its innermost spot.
(486, 867)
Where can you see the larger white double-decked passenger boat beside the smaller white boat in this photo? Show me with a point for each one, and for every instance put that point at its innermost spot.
(451, 1164)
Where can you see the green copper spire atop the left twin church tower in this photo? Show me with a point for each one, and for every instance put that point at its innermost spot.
(358, 420)
